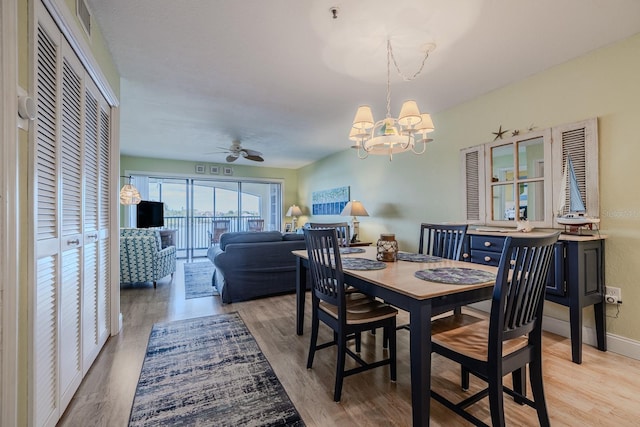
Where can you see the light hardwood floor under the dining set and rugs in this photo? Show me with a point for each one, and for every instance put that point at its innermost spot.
(603, 391)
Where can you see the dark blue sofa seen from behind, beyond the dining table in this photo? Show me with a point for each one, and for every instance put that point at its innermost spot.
(251, 265)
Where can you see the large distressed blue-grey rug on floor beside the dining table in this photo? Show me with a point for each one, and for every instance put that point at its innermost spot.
(209, 371)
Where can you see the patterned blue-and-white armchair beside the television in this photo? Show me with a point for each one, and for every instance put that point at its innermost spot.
(142, 258)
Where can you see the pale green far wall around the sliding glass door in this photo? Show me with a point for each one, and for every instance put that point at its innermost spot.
(185, 168)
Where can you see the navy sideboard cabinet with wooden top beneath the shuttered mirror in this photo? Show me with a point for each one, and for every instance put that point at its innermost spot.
(576, 277)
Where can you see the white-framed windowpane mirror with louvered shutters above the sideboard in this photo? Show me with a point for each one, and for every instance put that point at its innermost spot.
(519, 178)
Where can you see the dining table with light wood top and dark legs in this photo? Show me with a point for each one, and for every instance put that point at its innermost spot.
(398, 285)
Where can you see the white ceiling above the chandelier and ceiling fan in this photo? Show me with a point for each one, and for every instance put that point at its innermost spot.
(285, 78)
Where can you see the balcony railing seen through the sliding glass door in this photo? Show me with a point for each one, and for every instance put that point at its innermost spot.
(200, 230)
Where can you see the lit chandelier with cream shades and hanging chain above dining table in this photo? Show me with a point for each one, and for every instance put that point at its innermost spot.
(392, 135)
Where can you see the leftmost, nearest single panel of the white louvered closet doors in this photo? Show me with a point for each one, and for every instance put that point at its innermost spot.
(44, 404)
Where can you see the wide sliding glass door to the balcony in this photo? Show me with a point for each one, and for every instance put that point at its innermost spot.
(201, 209)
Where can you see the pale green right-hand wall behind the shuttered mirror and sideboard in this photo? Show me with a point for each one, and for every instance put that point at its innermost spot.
(411, 189)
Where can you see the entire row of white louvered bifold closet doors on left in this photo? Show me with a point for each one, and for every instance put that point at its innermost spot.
(71, 163)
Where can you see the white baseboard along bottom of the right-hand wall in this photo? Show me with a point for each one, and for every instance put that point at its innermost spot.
(615, 343)
